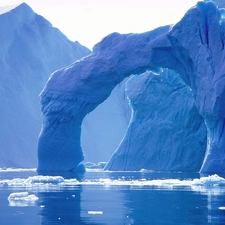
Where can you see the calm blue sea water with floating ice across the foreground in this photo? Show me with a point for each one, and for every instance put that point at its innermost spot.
(101, 197)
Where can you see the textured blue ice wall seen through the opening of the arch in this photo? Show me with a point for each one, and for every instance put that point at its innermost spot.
(166, 132)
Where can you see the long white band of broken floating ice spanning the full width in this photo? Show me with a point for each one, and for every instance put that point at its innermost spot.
(58, 182)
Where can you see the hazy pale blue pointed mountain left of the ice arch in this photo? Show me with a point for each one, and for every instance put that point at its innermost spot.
(31, 49)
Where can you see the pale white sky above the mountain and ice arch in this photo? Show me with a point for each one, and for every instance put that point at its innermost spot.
(88, 21)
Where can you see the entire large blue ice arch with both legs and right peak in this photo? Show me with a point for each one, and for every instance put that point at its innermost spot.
(194, 48)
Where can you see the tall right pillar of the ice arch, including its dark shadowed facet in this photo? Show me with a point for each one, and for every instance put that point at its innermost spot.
(195, 49)
